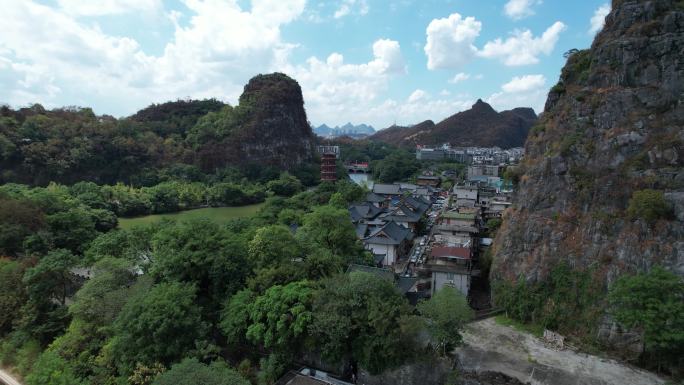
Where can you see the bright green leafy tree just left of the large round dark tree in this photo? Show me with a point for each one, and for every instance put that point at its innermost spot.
(280, 317)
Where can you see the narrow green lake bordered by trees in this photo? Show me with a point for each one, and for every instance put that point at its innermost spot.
(217, 214)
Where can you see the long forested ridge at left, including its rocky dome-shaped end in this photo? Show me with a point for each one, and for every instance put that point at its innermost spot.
(268, 128)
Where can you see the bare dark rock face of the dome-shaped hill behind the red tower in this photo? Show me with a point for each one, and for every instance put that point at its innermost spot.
(276, 131)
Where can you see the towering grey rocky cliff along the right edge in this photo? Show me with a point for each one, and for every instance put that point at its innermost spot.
(612, 126)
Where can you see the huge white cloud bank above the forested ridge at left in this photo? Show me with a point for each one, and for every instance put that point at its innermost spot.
(212, 55)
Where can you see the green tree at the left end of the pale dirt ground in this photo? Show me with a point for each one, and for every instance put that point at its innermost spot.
(445, 314)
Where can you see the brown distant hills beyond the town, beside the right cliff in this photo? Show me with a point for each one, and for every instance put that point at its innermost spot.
(479, 126)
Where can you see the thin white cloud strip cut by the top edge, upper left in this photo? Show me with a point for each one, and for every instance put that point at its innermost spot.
(108, 7)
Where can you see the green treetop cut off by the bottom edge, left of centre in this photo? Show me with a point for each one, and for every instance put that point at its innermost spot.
(192, 372)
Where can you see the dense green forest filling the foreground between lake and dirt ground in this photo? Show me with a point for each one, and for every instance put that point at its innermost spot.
(172, 297)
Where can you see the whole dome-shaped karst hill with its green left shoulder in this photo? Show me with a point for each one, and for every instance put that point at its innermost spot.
(268, 127)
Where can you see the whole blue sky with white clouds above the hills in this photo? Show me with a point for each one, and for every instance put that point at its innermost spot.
(361, 61)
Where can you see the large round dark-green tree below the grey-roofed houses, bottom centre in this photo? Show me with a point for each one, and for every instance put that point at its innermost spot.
(358, 316)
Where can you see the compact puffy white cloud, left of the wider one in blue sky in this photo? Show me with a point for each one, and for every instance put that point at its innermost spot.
(450, 41)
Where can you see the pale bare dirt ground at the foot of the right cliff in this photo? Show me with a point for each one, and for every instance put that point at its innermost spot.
(493, 347)
